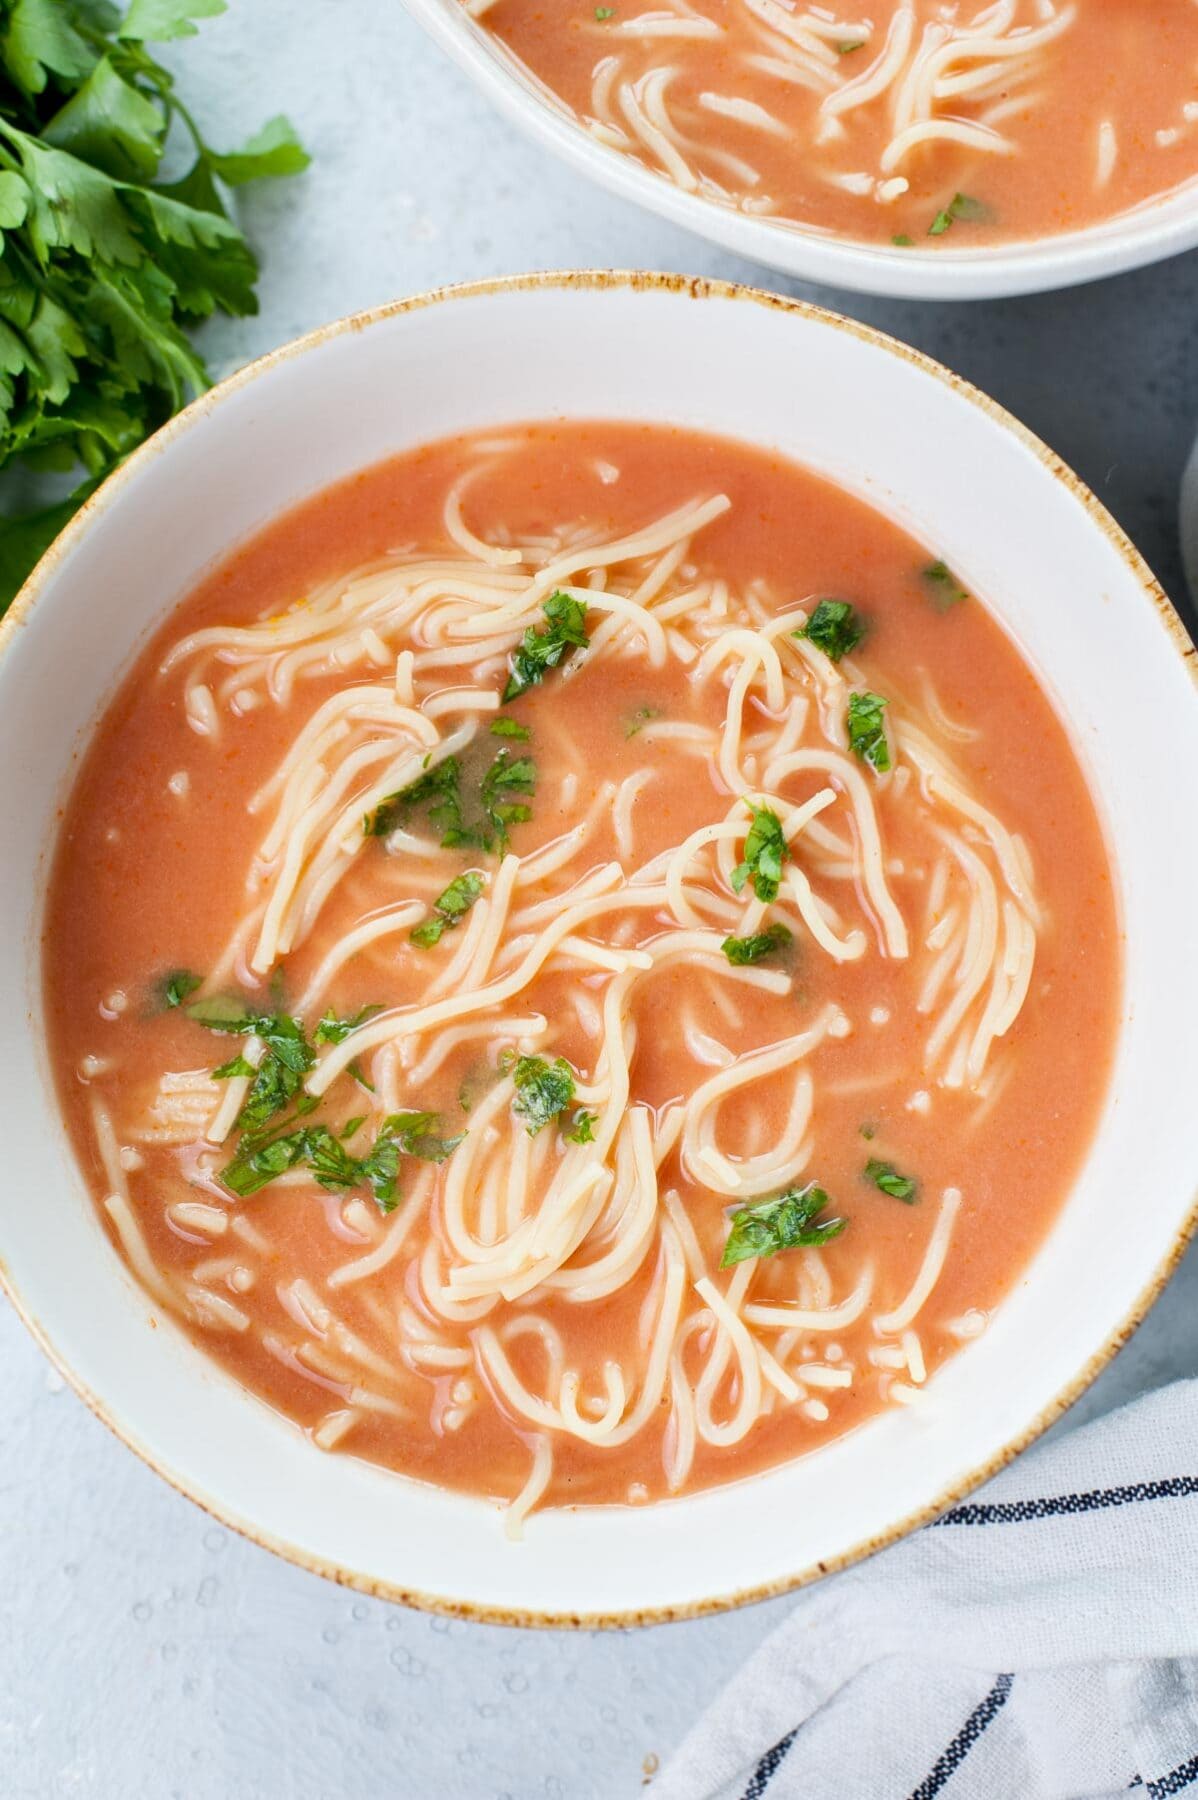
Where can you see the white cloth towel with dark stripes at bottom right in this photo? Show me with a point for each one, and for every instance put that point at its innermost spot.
(1039, 1642)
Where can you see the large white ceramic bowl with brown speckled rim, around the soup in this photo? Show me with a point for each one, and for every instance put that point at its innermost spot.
(961, 476)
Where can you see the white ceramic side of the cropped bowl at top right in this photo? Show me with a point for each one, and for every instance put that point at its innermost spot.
(1149, 235)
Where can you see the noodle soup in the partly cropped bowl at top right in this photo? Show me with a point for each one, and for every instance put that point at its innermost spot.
(902, 121)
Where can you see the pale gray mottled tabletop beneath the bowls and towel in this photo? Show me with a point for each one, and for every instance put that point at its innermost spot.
(147, 1653)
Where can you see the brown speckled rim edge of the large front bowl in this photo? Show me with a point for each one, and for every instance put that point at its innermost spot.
(1170, 622)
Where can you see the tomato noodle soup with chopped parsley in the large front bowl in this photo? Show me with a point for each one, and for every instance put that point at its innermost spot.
(582, 964)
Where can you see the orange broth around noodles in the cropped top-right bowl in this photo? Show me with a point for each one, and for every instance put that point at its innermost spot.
(1122, 62)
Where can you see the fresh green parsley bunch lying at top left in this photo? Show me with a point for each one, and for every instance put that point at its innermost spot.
(103, 265)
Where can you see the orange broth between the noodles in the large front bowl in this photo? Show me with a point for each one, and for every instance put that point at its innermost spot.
(148, 881)
